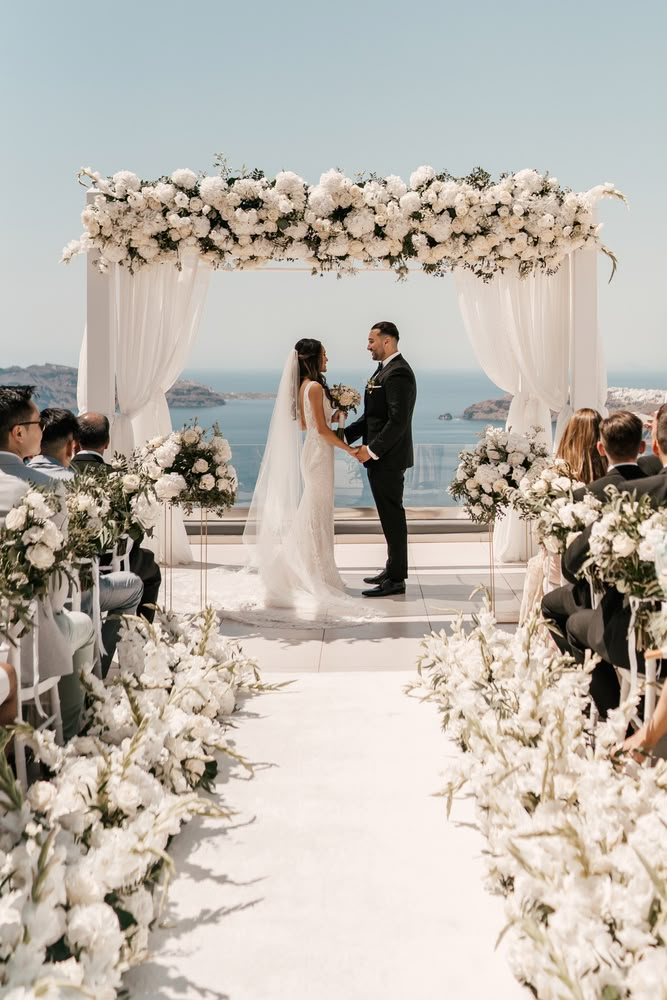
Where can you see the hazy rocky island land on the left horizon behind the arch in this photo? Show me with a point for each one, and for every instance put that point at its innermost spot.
(56, 386)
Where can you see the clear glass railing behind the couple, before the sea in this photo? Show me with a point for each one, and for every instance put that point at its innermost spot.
(425, 483)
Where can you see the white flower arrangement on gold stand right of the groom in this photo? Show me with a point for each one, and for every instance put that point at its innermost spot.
(486, 476)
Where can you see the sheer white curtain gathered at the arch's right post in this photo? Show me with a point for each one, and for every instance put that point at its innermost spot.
(520, 332)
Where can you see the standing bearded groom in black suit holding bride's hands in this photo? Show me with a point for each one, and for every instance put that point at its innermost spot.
(385, 428)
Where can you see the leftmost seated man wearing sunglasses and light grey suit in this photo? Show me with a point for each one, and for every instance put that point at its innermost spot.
(66, 639)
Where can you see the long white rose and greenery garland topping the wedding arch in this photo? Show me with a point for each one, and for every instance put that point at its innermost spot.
(524, 221)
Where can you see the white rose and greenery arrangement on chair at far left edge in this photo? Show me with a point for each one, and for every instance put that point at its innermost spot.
(33, 554)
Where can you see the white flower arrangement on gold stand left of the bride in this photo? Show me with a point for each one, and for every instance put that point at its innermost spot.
(190, 470)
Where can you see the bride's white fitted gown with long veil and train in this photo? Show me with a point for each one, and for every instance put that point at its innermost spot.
(293, 577)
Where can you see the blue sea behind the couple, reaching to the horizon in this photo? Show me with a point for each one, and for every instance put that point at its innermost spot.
(245, 424)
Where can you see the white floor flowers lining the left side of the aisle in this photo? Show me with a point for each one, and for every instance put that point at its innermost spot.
(83, 856)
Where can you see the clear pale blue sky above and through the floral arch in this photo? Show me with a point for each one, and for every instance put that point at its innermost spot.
(576, 88)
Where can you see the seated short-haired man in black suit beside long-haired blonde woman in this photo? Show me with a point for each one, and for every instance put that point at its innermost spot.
(621, 443)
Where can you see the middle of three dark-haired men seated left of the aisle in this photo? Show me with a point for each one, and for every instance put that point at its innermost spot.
(120, 592)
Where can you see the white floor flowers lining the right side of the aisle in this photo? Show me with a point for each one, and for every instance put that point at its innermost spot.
(575, 838)
